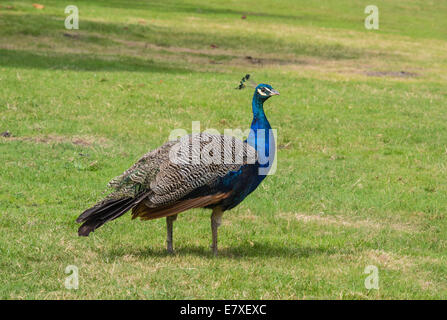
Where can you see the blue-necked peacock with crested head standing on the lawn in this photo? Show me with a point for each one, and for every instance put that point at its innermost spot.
(177, 177)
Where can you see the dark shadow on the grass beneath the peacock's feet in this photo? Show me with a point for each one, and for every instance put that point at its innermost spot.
(258, 250)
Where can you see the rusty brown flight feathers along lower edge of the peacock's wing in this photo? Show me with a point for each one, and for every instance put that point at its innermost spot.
(145, 213)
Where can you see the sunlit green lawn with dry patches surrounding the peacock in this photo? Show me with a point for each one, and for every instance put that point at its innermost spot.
(361, 160)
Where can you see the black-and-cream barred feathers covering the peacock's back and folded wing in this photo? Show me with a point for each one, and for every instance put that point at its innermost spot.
(192, 167)
